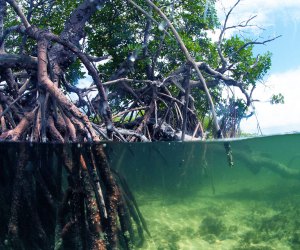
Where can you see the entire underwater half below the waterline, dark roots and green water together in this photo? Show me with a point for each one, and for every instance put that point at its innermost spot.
(228, 194)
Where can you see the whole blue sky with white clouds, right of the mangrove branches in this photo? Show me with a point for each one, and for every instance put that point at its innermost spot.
(277, 18)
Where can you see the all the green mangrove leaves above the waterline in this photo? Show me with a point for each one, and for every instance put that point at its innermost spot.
(144, 51)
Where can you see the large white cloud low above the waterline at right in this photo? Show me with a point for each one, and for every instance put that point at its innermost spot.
(279, 118)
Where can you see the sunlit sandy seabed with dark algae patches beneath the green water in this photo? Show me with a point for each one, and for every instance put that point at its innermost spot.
(257, 213)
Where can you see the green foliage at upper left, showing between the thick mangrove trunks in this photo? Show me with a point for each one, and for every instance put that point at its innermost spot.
(50, 15)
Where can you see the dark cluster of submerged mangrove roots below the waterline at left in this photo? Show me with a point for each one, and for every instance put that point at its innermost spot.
(92, 208)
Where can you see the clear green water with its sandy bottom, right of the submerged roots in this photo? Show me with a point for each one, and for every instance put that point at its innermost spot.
(192, 199)
